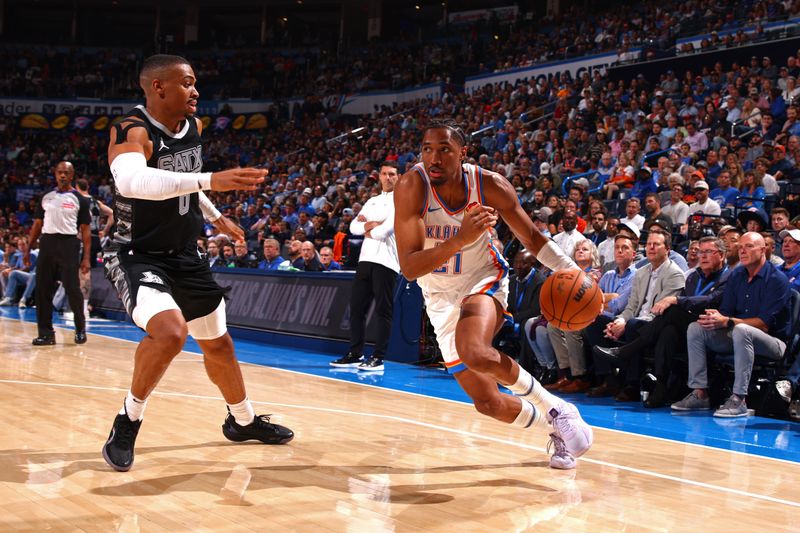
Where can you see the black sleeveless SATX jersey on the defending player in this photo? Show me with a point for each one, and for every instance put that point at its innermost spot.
(160, 226)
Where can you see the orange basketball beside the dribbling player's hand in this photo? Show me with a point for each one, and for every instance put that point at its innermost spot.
(570, 299)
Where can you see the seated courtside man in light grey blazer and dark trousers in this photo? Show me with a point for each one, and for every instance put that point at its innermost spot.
(652, 283)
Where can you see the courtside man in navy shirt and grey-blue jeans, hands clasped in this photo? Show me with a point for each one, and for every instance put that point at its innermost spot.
(752, 317)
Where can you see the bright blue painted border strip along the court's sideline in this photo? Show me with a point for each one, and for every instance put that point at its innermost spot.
(758, 436)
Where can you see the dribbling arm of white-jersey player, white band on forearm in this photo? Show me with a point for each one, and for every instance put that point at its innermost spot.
(499, 194)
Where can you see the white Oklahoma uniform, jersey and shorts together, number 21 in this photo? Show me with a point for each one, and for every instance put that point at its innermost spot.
(476, 269)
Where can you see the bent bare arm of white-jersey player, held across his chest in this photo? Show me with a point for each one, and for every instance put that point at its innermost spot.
(409, 230)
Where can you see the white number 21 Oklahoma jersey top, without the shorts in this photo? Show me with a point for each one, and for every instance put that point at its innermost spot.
(478, 260)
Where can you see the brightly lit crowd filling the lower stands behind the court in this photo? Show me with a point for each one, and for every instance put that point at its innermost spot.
(704, 154)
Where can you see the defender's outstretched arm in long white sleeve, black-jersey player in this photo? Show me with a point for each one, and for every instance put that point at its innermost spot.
(134, 179)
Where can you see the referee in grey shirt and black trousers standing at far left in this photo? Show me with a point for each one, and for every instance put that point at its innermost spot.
(62, 219)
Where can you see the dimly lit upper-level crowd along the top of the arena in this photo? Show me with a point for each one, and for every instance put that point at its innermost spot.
(402, 61)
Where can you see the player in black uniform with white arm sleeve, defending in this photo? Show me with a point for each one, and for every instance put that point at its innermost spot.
(155, 156)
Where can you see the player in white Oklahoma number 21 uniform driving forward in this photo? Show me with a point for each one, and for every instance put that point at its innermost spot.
(443, 211)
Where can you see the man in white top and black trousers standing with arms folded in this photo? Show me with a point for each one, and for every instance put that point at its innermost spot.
(376, 274)
